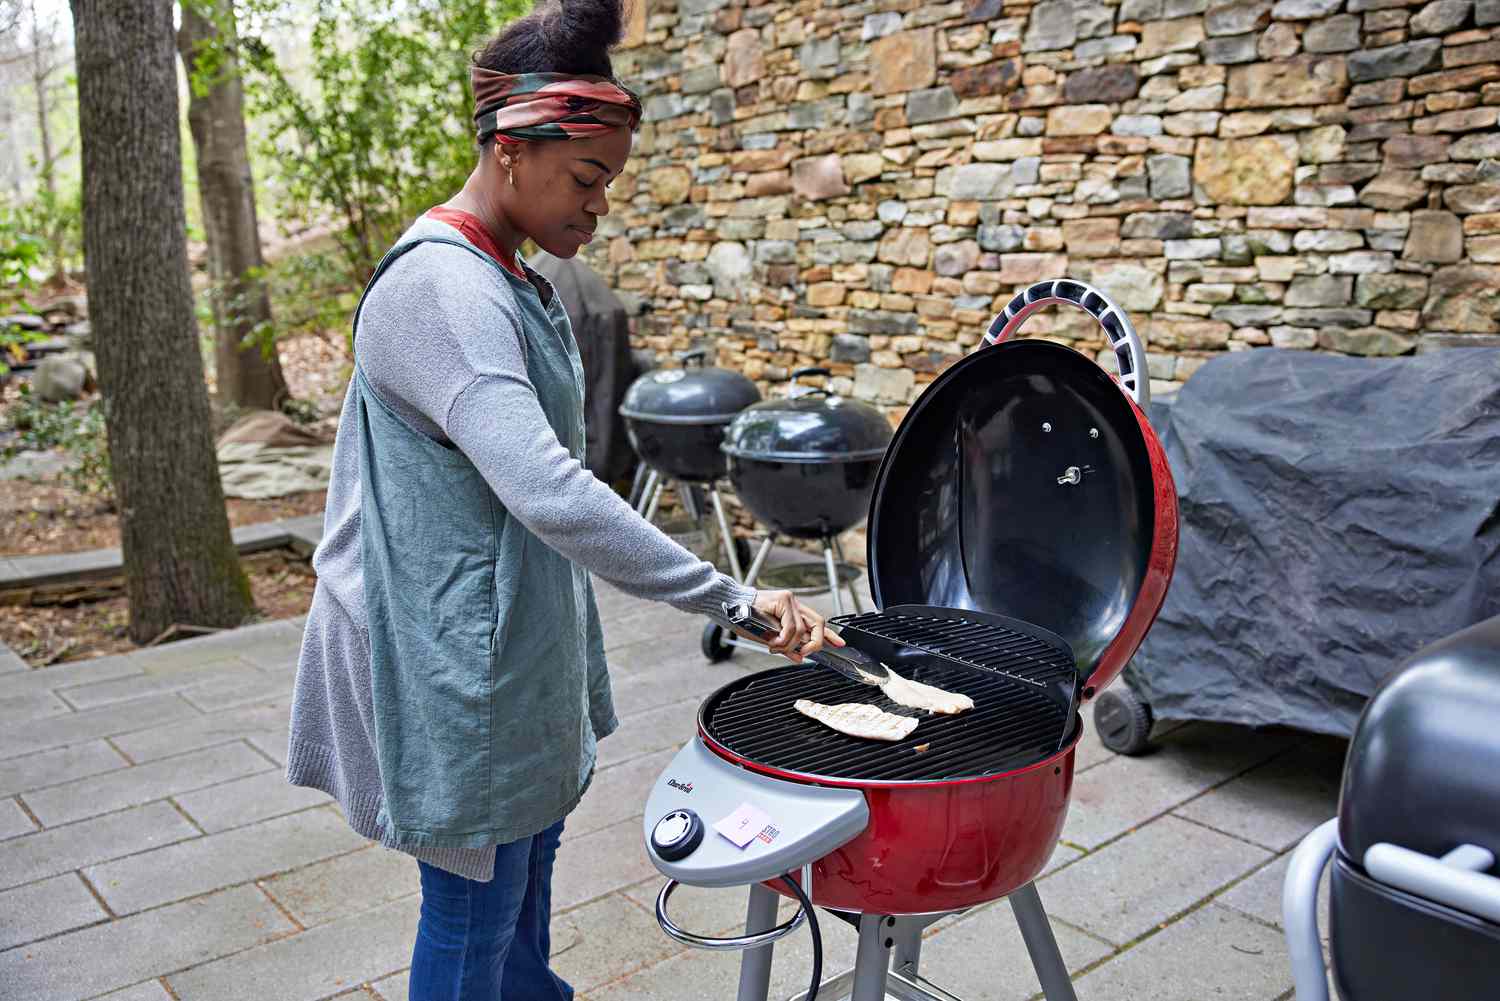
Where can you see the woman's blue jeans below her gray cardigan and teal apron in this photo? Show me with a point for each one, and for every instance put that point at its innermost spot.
(490, 942)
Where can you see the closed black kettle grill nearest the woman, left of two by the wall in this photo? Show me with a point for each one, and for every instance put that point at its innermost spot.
(676, 421)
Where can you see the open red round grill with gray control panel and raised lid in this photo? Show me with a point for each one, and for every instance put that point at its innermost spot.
(1022, 538)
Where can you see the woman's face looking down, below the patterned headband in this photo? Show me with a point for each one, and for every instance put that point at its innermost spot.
(559, 188)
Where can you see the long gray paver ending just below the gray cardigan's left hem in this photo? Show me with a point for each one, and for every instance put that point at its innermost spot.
(220, 861)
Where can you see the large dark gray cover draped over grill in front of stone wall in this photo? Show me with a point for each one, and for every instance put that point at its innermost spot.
(1337, 516)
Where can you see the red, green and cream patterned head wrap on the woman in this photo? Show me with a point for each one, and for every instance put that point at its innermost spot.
(550, 106)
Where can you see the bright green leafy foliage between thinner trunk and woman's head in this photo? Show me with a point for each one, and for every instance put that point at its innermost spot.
(382, 128)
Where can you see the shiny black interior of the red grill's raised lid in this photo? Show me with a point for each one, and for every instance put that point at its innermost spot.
(1019, 484)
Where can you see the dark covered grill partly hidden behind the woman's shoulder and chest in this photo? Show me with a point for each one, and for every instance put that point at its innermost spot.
(602, 329)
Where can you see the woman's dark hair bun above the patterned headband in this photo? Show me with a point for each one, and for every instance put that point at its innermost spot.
(559, 37)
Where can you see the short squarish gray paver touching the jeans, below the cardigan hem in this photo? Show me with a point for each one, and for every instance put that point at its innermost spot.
(344, 886)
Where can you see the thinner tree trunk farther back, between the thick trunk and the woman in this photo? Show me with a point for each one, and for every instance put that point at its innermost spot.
(245, 376)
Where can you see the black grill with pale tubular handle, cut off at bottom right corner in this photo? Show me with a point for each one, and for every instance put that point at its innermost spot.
(1415, 897)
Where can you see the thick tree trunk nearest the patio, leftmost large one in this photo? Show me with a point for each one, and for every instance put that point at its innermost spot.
(181, 565)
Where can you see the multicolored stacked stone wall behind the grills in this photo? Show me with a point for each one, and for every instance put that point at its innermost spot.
(865, 185)
